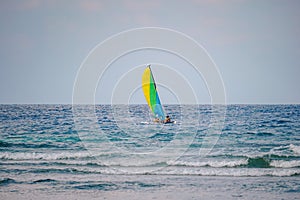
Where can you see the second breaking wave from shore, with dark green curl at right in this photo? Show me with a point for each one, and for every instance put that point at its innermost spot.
(78, 159)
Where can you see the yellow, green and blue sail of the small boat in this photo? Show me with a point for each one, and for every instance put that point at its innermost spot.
(151, 95)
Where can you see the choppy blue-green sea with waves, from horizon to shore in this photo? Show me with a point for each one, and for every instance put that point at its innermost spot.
(118, 152)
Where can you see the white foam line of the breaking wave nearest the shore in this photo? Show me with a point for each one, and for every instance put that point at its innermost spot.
(171, 170)
